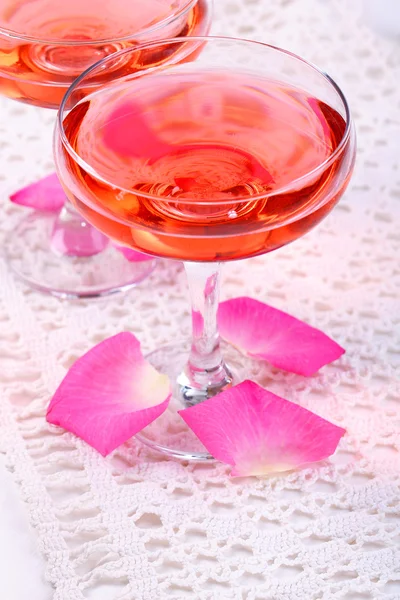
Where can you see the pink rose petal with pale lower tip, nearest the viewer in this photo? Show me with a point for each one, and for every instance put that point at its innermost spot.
(258, 433)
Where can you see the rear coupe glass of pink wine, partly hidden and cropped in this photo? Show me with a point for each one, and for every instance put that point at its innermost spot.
(44, 46)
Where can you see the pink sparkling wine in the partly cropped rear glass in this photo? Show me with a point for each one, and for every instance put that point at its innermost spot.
(40, 70)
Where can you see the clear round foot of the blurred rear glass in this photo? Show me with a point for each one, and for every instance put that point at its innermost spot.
(31, 255)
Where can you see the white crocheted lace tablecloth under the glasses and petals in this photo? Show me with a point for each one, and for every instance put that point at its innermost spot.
(136, 527)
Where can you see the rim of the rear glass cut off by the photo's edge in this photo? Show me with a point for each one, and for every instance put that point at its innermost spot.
(15, 35)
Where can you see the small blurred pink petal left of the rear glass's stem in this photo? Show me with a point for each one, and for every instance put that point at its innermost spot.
(46, 195)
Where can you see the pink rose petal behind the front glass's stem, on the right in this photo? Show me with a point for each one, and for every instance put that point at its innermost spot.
(270, 334)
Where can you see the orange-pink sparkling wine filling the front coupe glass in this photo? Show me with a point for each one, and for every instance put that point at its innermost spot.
(215, 152)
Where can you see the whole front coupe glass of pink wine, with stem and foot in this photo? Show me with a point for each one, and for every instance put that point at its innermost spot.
(241, 151)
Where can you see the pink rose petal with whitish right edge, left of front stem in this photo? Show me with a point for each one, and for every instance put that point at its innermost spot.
(109, 394)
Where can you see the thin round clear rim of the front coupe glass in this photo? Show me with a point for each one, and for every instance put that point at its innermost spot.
(291, 186)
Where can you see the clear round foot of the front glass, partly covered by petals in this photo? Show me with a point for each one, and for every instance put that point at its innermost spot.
(169, 434)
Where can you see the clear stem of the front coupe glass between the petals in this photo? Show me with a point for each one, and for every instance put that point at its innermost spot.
(205, 374)
